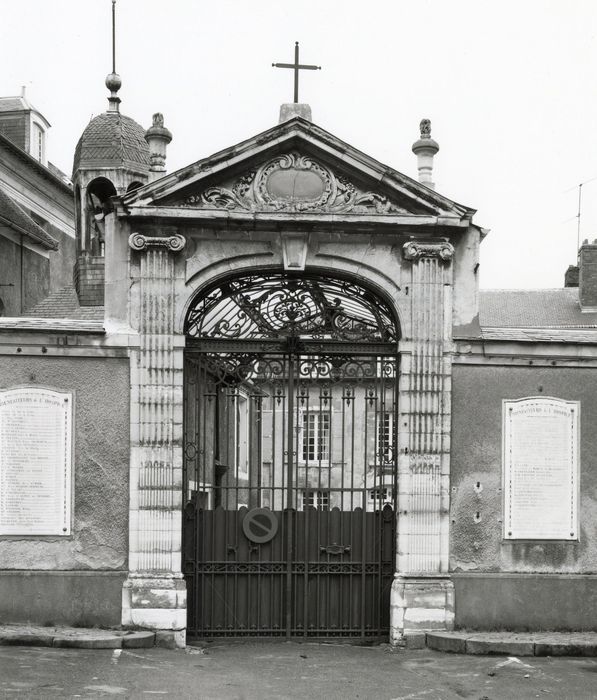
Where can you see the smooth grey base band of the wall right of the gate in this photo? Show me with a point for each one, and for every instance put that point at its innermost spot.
(523, 602)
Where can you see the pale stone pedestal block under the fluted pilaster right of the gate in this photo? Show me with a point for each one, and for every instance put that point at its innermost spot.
(420, 604)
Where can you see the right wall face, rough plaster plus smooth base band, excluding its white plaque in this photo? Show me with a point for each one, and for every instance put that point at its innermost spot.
(506, 583)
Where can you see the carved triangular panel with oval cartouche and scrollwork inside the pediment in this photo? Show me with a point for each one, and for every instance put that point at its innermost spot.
(295, 183)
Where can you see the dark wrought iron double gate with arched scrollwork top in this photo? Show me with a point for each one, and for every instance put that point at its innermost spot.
(290, 460)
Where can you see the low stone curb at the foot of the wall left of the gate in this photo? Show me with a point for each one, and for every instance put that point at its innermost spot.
(79, 639)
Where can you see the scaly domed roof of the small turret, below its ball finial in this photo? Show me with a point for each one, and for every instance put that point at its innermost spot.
(112, 140)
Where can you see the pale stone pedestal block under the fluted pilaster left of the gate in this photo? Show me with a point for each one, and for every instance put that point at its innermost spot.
(158, 603)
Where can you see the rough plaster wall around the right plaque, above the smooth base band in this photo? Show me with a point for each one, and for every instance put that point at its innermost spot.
(476, 543)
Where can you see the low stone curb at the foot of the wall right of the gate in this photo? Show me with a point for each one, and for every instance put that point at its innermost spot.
(512, 644)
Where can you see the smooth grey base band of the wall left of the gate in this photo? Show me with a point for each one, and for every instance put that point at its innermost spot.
(78, 598)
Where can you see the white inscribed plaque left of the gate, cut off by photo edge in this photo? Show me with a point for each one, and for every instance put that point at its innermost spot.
(35, 461)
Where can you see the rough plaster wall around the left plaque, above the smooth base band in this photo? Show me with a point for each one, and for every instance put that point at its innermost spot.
(99, 539)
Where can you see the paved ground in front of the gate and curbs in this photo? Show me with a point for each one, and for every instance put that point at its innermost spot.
(263, 671)
